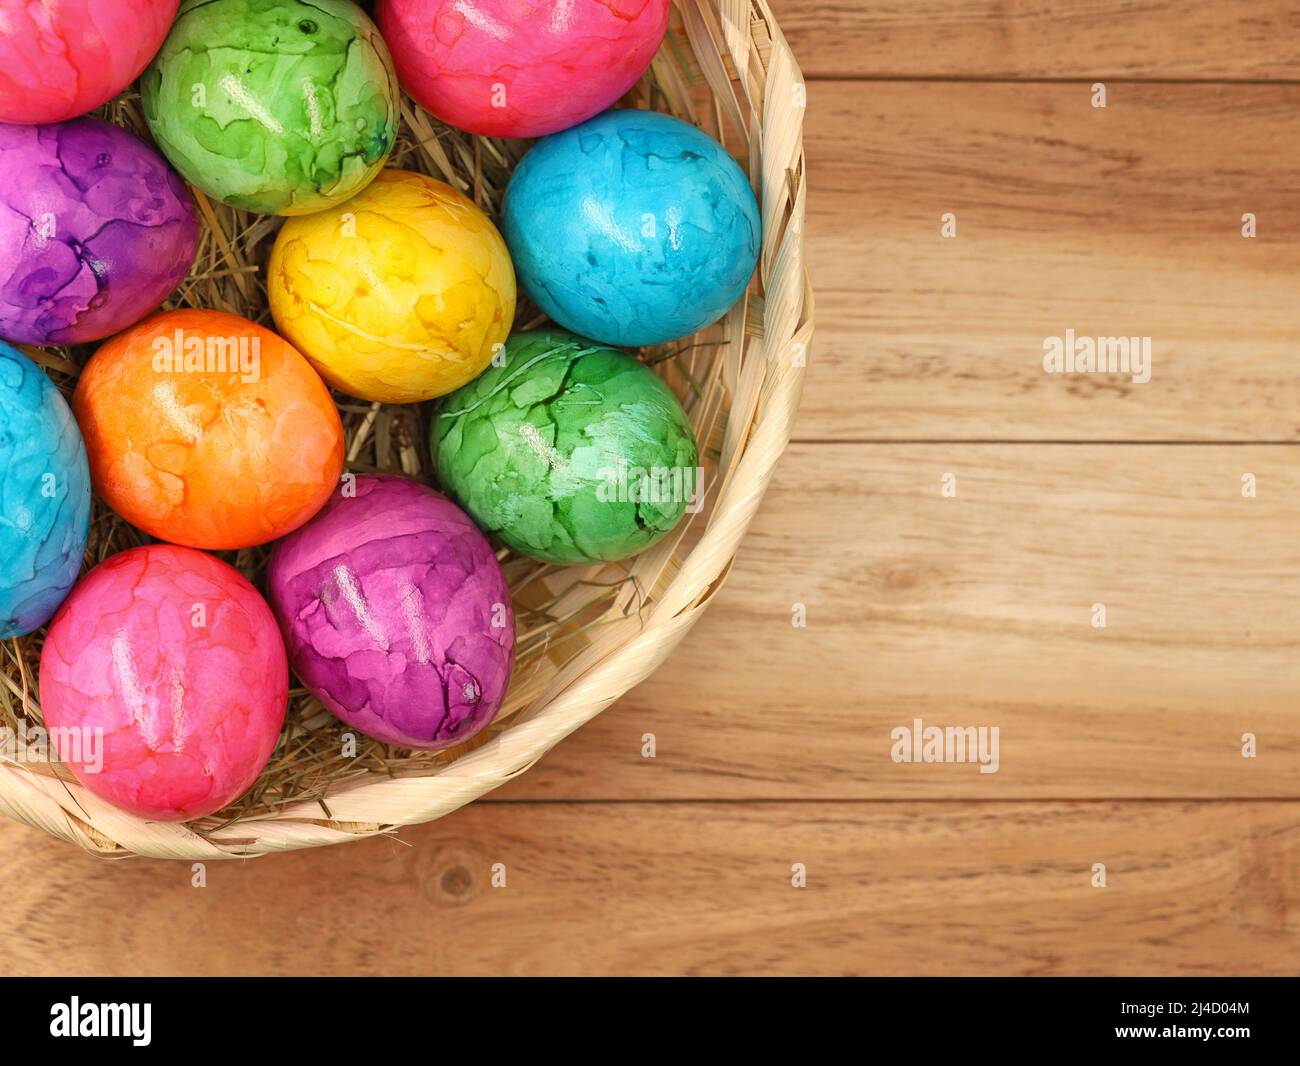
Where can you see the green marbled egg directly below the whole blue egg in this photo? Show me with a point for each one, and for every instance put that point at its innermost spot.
(570, 453)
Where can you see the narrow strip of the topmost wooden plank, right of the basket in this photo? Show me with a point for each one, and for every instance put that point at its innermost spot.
(1147, 40)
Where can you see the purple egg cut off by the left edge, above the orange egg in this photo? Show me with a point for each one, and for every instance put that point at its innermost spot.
(96, 232)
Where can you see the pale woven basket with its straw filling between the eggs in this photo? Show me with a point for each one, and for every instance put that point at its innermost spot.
(587, 635)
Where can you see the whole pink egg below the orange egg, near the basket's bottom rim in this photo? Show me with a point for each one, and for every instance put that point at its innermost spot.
(164, 683)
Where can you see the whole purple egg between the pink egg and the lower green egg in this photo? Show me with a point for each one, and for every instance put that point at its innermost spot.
(396, 614)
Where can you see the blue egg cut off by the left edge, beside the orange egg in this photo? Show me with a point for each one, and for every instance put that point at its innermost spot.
(45, 496)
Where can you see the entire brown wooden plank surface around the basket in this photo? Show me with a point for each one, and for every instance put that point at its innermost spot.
(1119, 746)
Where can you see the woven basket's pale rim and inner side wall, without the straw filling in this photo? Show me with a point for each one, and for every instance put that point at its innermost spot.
(726, 67)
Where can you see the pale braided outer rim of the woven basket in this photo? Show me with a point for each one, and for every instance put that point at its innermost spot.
(759, 86)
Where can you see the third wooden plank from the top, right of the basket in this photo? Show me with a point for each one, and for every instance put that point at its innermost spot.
(976, 610)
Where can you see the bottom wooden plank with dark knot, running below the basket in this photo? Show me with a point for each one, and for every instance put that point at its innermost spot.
(653, 889)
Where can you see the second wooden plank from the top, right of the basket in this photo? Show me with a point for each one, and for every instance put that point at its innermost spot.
(1116, 223)
